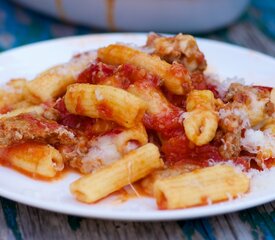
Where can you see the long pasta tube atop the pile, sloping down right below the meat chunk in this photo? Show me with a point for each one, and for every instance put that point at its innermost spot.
(176, 77)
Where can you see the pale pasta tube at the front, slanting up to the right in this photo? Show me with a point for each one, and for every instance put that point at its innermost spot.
(132, 167)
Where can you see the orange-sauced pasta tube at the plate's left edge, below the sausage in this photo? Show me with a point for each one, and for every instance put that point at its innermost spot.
(36, 159)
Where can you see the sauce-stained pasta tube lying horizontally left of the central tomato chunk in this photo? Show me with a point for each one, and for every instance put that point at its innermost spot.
(106, 102)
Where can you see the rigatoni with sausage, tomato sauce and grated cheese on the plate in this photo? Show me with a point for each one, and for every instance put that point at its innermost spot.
(144, 116)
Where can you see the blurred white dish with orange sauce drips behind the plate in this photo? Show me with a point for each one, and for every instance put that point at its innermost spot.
(144, 15)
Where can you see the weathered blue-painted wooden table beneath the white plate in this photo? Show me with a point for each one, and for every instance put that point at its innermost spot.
(18, 26)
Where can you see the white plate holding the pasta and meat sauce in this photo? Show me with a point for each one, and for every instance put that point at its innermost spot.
(223, 59)
